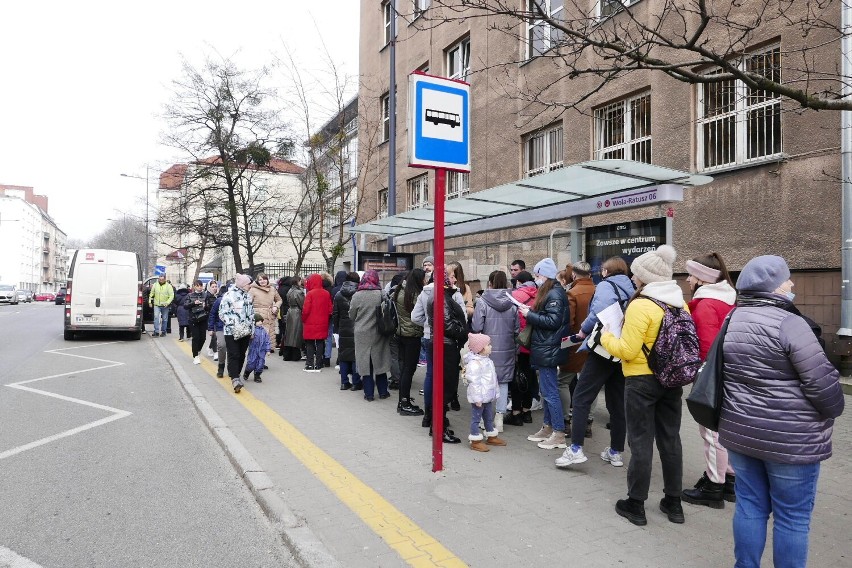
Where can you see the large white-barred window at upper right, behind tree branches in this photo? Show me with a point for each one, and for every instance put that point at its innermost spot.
(739, 124)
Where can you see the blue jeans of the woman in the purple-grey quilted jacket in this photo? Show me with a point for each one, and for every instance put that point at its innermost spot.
(787, 491)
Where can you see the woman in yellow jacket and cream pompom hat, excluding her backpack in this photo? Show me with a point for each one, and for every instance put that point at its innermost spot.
(652, 410)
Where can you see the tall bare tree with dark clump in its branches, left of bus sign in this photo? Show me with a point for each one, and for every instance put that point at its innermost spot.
(224, 119)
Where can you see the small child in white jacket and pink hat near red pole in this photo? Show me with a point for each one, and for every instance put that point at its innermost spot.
(482, 390)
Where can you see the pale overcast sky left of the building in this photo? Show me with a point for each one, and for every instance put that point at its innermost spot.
(83, 83)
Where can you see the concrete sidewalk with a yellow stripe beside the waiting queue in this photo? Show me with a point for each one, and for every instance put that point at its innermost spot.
(355, 484)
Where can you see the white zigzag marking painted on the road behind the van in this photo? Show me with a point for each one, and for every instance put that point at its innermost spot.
(116, 413)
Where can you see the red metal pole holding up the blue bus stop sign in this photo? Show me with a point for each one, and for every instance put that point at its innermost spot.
(438, 327)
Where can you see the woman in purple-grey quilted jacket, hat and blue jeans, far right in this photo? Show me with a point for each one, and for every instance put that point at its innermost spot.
(780, 398)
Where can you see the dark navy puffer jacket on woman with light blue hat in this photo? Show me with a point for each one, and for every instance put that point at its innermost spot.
(550, 325)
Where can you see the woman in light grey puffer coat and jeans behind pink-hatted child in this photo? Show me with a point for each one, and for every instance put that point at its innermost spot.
(496, 316)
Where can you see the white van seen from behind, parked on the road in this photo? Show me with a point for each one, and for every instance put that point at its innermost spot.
(104, 293)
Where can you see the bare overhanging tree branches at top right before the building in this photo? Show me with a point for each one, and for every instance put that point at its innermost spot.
(693, 41)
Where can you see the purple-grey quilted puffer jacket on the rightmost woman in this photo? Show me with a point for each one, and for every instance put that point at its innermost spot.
(781, 394)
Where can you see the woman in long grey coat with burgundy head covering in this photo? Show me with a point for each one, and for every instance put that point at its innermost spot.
(372, 349)
